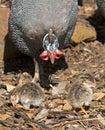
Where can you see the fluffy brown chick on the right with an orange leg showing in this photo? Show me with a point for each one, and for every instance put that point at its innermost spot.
(80, 93)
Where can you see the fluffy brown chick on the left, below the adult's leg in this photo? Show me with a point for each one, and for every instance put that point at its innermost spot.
(29, 94)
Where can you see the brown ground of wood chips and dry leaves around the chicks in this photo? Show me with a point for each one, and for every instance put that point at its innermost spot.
(84, 57)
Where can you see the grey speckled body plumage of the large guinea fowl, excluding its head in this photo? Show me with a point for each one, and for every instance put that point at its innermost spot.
(31, 20)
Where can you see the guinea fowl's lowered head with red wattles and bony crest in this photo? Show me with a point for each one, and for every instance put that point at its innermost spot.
(50, 45)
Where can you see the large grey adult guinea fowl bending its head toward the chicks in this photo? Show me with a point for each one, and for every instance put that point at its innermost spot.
(34, 24)
